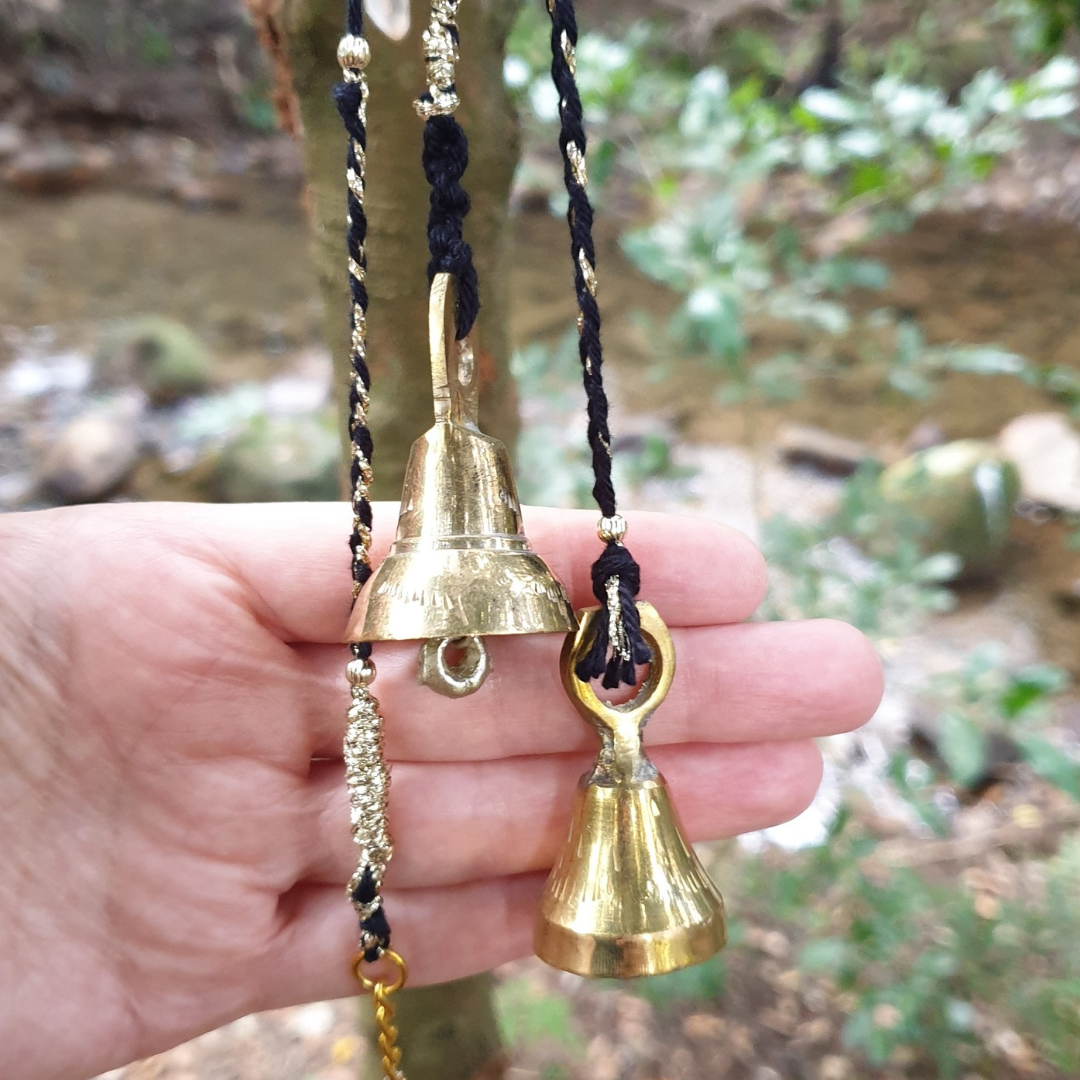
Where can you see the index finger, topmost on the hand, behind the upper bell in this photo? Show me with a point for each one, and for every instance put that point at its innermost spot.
(293, 561)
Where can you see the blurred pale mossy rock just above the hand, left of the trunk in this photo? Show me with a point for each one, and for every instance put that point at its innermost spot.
(281, 460)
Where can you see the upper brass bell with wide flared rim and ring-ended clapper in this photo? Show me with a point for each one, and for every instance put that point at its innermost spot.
(461, 568)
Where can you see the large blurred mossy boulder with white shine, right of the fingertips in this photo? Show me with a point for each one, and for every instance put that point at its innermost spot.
(963, 494)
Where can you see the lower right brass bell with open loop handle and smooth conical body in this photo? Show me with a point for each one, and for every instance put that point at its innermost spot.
(628, 896)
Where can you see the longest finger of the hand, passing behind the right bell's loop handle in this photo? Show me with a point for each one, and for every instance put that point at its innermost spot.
(769, 682)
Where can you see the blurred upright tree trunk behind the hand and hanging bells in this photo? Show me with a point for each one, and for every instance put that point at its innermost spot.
(449, 1033)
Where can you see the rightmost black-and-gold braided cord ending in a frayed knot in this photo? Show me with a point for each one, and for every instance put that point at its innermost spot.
(616, 563)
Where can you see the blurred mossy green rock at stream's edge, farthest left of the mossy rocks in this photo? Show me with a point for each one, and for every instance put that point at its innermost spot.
(160, 356)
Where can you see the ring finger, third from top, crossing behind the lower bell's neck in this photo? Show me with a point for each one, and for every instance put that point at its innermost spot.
(465, 822)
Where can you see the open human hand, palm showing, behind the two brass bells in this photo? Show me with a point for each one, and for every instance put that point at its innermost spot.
(174, 827)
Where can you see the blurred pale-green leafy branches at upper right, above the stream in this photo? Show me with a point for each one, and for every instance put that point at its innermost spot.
(760, 204)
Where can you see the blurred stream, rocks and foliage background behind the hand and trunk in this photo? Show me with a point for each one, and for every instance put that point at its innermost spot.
(840, 260)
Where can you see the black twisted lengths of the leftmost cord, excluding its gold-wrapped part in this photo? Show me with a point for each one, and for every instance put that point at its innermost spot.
(349, 98)
